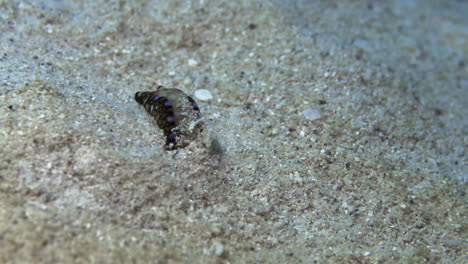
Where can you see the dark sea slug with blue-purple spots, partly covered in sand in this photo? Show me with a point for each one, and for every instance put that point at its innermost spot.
(175, 113)
